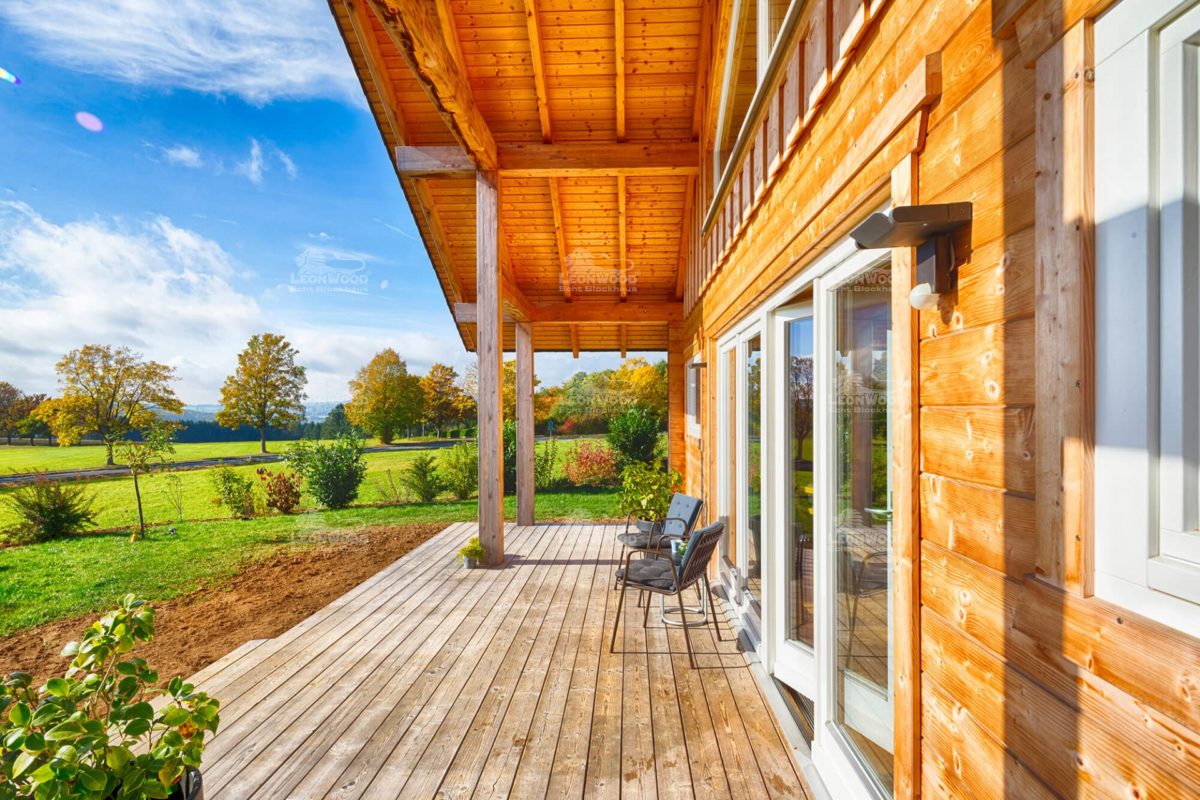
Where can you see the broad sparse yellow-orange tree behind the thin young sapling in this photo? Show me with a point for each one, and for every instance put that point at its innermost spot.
(109, 392)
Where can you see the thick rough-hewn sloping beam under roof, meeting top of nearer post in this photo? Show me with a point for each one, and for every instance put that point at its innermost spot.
(417, 31)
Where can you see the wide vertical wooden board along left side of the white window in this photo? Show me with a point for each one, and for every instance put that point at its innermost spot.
(1064, 340)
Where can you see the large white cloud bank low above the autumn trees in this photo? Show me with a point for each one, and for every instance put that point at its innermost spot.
(169, 293)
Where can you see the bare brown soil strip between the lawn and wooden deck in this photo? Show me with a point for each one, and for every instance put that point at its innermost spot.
(261, 603)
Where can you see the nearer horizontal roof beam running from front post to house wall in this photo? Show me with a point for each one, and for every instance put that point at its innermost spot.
(599, 159)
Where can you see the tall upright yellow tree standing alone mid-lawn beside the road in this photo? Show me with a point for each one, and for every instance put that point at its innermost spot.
(267, 389)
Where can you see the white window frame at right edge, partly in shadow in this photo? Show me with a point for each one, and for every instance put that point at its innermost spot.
(1148, 285)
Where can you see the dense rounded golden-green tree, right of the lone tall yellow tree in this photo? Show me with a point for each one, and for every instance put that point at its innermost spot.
(385, 398)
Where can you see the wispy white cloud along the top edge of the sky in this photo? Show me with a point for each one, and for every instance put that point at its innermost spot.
(256, 50)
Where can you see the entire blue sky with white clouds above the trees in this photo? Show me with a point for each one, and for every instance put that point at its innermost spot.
(238, 158)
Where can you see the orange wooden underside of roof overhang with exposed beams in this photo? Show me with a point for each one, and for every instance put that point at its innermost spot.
(590, 113)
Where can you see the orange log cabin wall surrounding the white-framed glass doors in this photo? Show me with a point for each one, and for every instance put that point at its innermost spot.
(1030, 687)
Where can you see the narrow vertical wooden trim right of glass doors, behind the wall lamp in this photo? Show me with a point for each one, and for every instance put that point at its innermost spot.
(905, 504)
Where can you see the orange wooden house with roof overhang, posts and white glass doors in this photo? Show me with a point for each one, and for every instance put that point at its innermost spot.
(961, 468)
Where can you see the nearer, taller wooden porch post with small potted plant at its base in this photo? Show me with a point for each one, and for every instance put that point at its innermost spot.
(490, 348)
